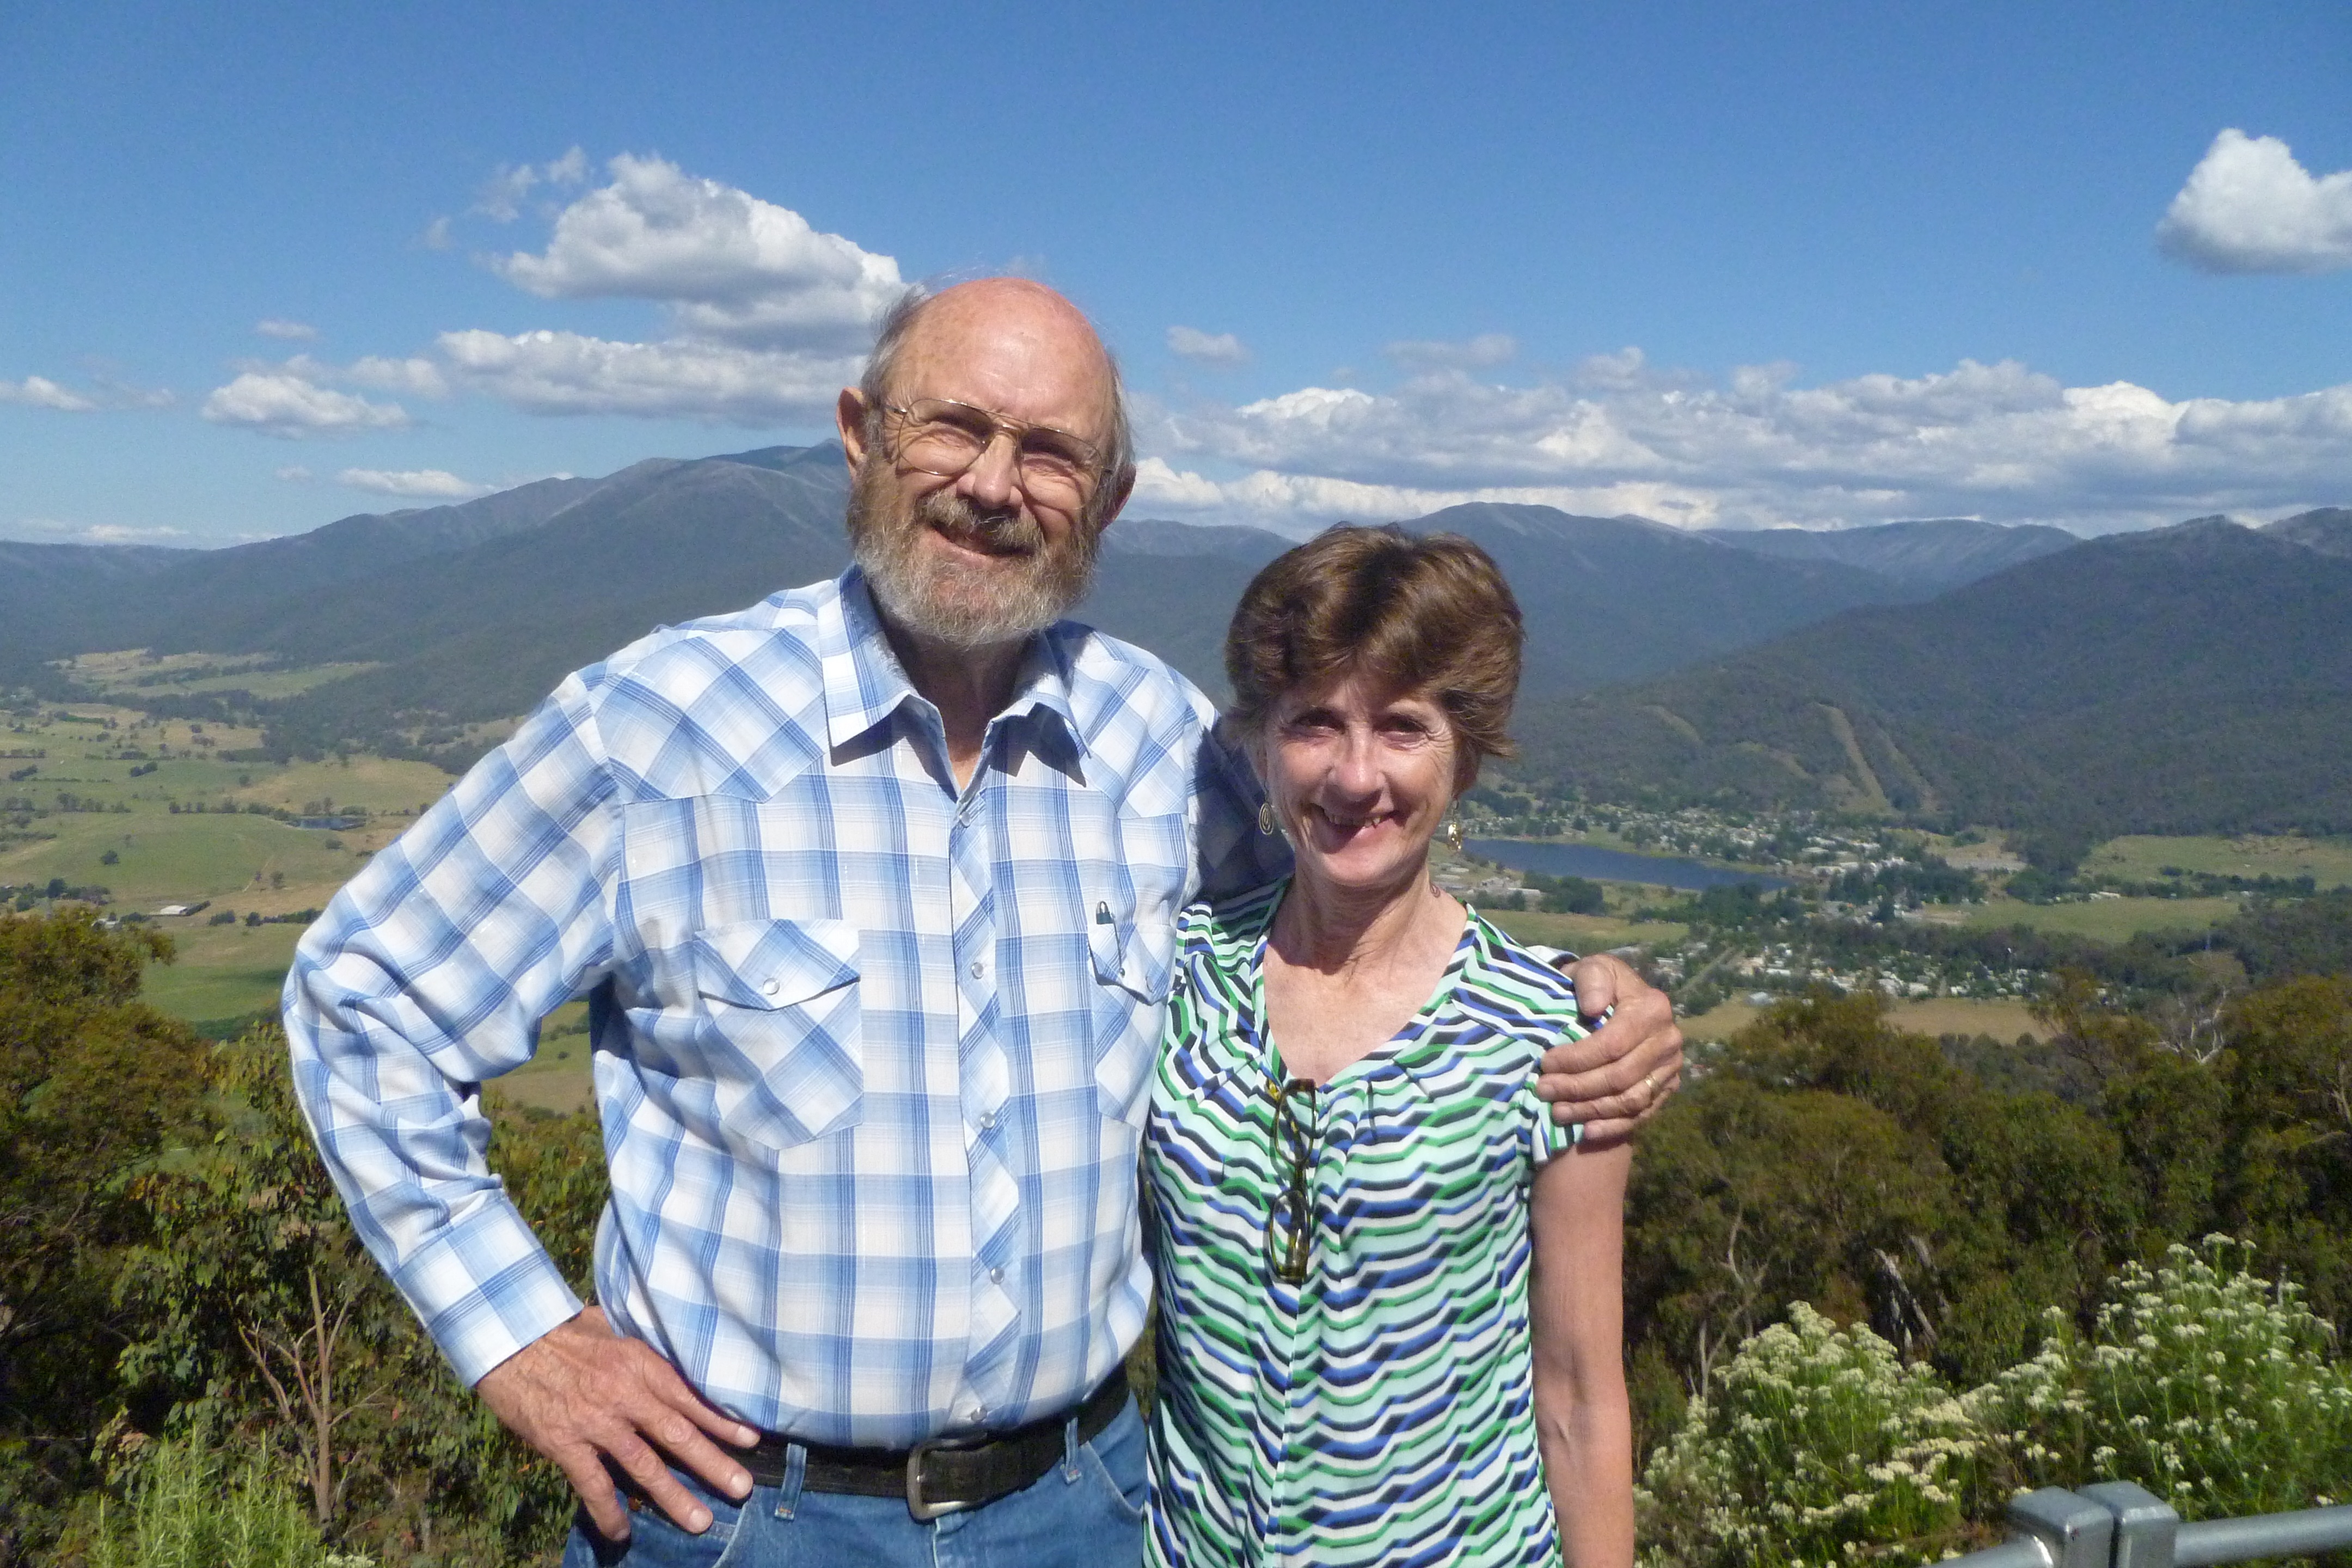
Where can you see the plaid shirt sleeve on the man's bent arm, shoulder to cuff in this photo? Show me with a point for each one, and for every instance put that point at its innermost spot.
(429, 974)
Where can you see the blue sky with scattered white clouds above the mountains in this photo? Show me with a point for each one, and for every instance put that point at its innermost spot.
(1713, 264)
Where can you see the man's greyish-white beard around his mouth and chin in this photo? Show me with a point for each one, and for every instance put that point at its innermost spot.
(951, 601)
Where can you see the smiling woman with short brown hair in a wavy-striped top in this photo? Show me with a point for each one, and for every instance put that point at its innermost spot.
(1389, 1282)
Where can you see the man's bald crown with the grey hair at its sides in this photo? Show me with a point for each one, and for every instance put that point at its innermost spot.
(1017, 307)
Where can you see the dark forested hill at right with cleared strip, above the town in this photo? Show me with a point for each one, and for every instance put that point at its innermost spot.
(2184, 681)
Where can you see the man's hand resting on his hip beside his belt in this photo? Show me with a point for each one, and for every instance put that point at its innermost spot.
(584, 1395)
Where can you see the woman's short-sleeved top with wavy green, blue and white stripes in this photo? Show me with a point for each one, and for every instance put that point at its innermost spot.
(1384, 1409)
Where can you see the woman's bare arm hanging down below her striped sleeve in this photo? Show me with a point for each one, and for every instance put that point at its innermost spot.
(1577, 1311)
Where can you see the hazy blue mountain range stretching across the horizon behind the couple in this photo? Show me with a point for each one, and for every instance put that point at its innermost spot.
(1949, 666)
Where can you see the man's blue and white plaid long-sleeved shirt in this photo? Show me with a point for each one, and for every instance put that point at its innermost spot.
(871, 1052)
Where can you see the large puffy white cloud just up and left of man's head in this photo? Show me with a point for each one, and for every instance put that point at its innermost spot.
(728, 264)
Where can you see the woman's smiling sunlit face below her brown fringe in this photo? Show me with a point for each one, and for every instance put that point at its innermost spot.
(1361, 777)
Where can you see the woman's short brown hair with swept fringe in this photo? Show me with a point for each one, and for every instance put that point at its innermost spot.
(1426, 615)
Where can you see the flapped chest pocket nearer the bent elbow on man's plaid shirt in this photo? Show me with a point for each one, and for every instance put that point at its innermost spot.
(782, 1014)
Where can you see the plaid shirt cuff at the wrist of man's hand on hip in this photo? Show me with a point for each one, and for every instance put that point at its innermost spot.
(486, 1289)
